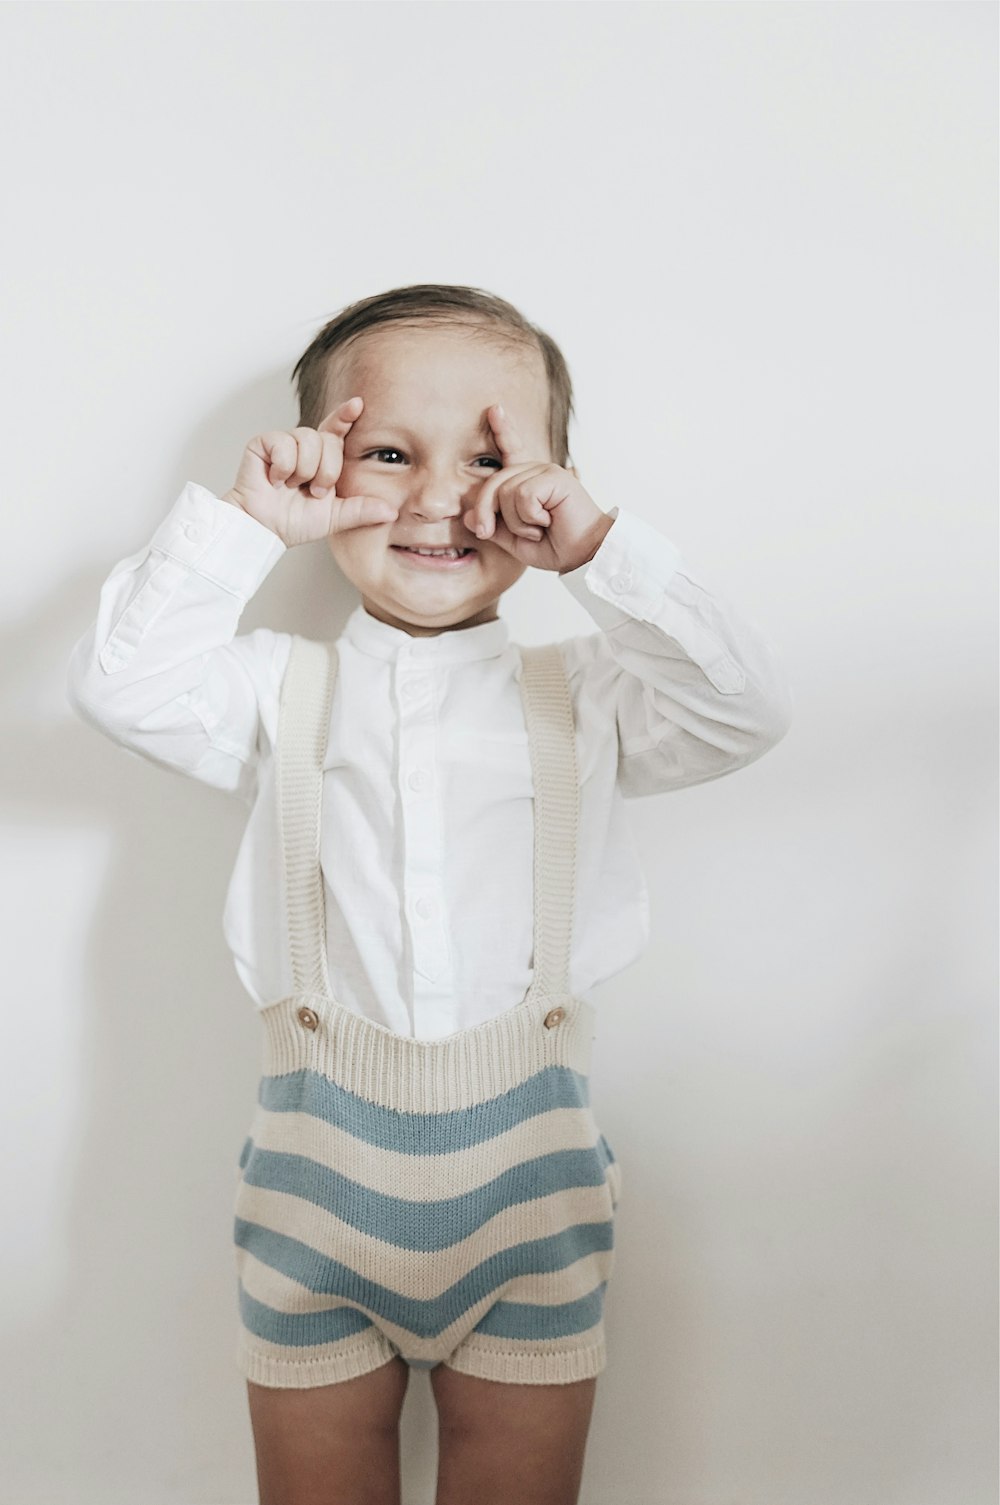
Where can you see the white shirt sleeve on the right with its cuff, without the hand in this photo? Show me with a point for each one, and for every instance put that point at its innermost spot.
(695, 687)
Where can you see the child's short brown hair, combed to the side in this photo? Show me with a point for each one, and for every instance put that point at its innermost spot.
(483, 314)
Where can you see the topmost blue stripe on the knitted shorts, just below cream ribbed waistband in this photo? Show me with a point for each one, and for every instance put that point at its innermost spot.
(312, 1093)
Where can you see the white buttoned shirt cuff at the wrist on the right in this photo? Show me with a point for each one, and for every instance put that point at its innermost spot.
(629, 574)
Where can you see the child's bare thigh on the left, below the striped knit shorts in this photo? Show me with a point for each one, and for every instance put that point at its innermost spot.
(334, 1444)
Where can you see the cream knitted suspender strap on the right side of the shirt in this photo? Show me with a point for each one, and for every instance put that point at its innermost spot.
(553, 749)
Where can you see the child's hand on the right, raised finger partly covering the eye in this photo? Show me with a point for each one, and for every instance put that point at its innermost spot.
(547, 518)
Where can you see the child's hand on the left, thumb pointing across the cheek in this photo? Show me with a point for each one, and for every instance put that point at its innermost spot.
(287, 481)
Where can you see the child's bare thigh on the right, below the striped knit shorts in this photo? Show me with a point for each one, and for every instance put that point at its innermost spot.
(510, 1443)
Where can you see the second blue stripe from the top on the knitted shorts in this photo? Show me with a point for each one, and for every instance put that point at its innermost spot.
(424, 1226)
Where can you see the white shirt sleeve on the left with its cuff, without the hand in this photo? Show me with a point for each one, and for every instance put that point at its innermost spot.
(162, 672)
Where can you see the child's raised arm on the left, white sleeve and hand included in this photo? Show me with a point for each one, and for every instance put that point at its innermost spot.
(162, 672)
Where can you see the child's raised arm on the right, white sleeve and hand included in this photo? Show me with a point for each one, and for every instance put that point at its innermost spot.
(694, 687)
